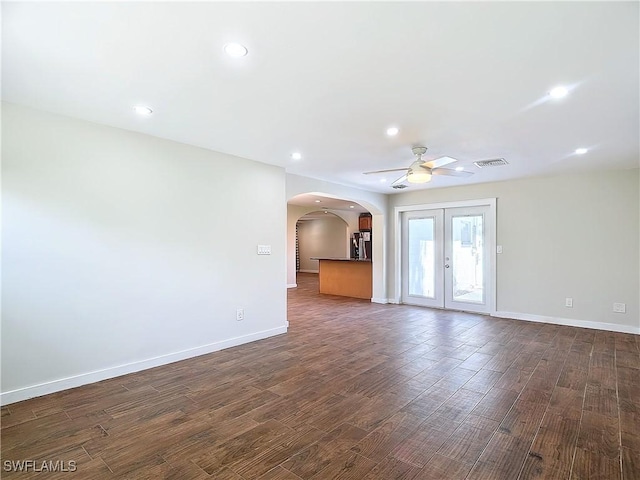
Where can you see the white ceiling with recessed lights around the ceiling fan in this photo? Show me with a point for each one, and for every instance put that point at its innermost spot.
(467, 80)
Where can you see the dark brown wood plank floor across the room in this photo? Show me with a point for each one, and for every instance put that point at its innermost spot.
(356, 391)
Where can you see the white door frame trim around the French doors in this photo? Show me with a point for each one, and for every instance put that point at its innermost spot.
(491, 234)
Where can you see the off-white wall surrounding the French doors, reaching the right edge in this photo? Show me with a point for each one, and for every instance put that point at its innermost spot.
(566, 236)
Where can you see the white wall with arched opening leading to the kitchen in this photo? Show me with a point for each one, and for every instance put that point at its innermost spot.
(376, 203)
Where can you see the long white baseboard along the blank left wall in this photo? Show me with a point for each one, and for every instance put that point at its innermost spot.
(53, 386)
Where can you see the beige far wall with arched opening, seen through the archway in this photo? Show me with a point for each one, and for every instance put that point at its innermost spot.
(321, 237)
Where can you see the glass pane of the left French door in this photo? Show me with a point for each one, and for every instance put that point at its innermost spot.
(421, 257)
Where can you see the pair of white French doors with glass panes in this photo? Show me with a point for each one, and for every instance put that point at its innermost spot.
(446, 258)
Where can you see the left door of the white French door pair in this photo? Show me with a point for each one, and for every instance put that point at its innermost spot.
(422, 258)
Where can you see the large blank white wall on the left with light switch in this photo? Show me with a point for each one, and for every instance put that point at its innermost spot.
(122, 251)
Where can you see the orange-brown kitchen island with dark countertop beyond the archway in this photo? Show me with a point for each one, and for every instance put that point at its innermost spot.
(345, 277)
